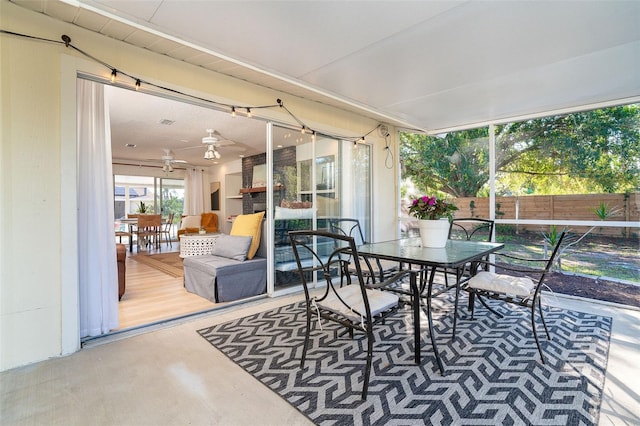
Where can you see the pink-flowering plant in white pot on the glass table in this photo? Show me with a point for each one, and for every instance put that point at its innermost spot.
(434, 216)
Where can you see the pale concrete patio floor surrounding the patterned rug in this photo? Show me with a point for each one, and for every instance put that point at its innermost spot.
(172, 376)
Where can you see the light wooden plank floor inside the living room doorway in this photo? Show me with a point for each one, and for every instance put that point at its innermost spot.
(152, 295)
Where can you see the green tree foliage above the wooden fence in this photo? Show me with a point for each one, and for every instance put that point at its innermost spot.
(590, 152)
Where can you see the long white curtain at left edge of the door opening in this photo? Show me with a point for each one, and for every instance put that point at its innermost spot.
(98, 274)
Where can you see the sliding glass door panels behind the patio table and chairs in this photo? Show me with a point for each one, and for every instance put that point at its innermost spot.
(315, 179)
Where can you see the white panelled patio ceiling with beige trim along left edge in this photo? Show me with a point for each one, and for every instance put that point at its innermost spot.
(429, 65)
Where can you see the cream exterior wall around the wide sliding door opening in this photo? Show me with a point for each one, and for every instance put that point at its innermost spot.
(38, 267)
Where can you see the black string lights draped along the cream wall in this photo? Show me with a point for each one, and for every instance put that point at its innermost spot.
(66, 40)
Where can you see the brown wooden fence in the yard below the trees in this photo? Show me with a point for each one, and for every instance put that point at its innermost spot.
(558, 207)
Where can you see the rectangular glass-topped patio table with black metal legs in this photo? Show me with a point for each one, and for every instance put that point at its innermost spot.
(454, 256)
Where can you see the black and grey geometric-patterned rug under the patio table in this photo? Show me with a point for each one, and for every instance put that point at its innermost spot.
(493, 373)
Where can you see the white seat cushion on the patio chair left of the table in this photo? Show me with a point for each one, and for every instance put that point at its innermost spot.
(379, 301)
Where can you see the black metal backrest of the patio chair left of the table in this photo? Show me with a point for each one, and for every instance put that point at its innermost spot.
(326, 253)
